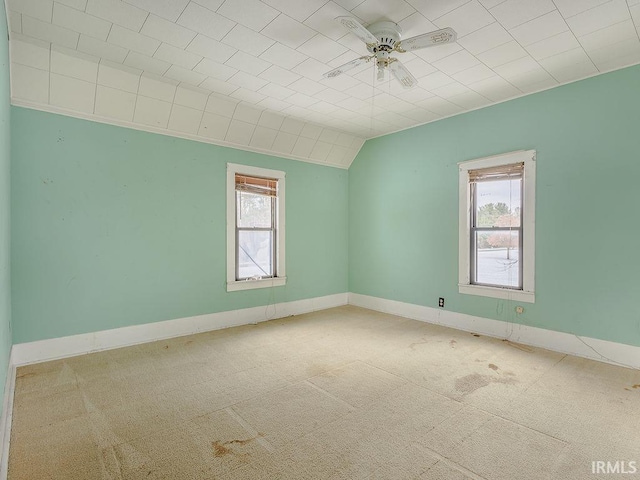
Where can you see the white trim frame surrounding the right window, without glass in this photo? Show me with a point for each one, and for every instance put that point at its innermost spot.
(527, 294)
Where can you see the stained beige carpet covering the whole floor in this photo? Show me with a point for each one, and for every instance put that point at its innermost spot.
(342, 394)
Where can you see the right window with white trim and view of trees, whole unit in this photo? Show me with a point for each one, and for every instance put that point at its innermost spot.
(497, 207)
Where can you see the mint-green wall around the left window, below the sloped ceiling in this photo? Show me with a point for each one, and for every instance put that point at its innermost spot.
(114, 227)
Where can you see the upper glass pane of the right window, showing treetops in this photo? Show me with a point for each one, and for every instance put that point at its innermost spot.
(498, 203)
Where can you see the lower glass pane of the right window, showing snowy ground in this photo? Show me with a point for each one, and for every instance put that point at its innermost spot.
(498, 258)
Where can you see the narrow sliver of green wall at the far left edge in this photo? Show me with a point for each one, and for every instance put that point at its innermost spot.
(5, 205)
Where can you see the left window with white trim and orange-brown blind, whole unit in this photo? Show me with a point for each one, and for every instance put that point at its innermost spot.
(255, 228)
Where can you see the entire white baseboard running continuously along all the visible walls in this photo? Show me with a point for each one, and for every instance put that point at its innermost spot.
(43, 350)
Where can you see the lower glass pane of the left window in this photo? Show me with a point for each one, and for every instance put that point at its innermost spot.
(255, 252)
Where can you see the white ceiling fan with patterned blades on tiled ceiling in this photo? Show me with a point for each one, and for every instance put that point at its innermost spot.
(382, 38)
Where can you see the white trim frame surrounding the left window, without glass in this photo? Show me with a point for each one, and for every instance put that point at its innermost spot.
(233, 284)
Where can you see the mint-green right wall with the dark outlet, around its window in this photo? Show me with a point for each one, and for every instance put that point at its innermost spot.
(403, 199)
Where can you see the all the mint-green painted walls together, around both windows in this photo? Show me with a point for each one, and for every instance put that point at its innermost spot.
(114, 227)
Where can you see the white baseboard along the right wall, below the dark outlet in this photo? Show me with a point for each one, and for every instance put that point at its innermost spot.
(592, 348)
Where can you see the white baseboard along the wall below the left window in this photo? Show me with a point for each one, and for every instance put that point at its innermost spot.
(54, 348)
